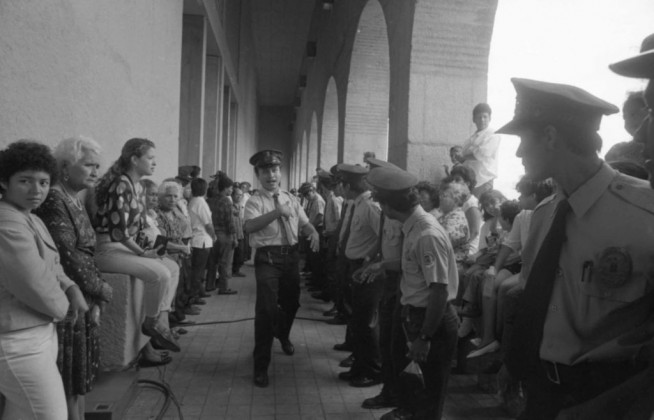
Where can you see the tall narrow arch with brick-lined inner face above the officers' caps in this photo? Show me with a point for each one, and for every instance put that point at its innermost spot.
(366, 109)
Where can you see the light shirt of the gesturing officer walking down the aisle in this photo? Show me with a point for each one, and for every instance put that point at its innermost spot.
(262, 202)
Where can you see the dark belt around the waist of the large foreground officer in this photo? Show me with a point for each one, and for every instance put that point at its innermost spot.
(565, 374)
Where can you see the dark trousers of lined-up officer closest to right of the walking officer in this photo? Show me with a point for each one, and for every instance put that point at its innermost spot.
(364, 323)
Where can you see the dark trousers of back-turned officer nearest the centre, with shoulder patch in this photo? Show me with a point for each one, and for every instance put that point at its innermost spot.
(428, 402)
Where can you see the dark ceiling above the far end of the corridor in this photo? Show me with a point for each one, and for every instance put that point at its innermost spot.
(280, 30)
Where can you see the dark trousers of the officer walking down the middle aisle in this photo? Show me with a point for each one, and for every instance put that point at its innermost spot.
(278, 294)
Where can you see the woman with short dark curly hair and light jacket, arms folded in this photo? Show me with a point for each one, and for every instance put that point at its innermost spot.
(34, 290)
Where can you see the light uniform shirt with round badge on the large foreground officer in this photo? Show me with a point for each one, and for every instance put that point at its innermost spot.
(604, 283)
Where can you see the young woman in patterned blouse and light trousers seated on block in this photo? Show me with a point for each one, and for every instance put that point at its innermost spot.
(120, 217)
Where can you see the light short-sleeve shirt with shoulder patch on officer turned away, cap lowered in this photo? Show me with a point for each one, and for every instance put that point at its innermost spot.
(427, 258)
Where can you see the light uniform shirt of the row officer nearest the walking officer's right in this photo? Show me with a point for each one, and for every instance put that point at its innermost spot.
(364, 230)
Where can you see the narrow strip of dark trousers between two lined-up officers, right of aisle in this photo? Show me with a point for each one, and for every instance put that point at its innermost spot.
(387, 308)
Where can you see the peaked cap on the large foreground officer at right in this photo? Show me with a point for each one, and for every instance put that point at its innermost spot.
(542, 102)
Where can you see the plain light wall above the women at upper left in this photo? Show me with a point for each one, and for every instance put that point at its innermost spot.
(101, 69)
